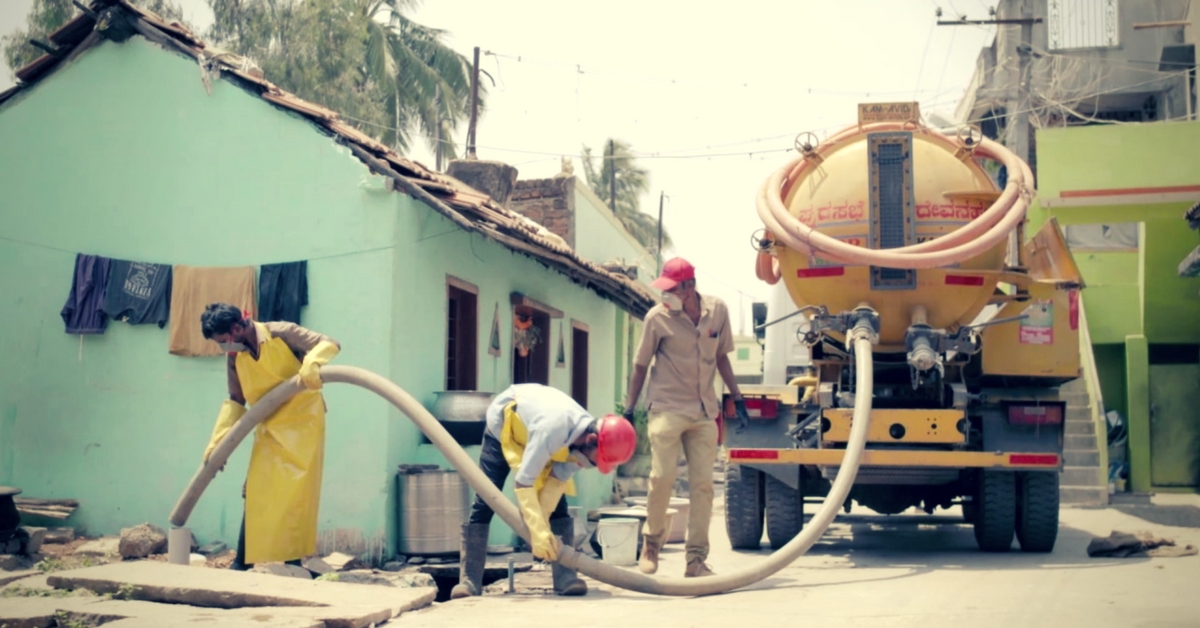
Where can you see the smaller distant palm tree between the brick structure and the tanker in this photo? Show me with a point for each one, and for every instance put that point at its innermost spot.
(632, 182)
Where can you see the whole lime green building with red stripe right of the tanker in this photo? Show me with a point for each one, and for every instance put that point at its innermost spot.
(1120, 193)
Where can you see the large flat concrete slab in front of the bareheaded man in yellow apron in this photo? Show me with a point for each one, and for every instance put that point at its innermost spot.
(340, 606)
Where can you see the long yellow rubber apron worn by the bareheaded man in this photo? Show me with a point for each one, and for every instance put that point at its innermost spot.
(284, 483)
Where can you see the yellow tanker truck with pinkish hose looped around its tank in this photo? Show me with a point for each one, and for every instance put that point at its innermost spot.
(907, 261)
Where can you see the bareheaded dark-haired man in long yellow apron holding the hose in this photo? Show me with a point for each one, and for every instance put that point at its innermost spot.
(283, 487)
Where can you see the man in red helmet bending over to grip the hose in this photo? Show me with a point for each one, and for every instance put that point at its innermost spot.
(543, 436)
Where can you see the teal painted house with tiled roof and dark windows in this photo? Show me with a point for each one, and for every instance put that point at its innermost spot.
(131, 143)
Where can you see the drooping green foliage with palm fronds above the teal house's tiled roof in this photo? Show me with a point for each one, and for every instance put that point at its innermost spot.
(389, 76)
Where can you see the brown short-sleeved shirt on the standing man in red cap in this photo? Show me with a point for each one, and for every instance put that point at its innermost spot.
(685, 357)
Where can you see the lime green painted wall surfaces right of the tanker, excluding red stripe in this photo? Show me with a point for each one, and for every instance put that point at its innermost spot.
(1133, 300)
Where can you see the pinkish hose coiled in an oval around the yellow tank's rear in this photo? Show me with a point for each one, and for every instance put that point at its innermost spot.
(988, 230)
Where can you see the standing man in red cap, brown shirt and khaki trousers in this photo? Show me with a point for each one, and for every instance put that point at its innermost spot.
(688, 338)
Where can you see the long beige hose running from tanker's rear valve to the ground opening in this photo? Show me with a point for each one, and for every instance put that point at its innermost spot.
(509, 513)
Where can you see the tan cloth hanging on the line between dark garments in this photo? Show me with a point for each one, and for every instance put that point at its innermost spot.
(191, 290)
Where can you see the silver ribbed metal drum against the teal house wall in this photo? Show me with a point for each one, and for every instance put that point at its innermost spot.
(433, 506)
